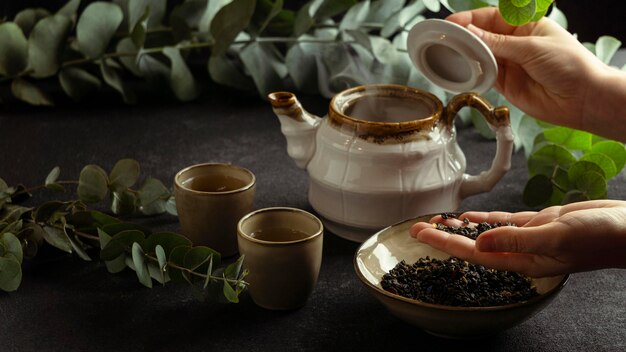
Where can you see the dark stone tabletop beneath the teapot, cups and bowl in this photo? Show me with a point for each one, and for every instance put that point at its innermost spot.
(66, 304)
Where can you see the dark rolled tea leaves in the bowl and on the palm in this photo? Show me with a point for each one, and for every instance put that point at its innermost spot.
(456, 282)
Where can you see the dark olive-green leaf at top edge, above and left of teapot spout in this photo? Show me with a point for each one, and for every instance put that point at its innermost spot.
(228, 22)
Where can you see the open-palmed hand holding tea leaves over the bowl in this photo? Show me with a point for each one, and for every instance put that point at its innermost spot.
(557, 240)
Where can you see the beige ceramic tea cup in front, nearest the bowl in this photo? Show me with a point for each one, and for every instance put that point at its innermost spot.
(283, 253)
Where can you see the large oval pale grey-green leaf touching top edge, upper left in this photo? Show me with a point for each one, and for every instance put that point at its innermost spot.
(97, 26)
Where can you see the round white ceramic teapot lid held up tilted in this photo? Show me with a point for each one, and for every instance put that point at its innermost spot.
(451, 56)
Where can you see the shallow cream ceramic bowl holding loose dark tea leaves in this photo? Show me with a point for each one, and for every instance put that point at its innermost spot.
(385, 249)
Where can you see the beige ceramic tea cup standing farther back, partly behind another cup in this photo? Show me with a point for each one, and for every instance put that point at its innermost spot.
(210, 200)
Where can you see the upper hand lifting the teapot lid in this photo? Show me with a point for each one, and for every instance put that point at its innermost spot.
(547, 72)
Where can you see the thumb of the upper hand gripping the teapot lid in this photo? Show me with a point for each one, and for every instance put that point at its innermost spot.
(508, 47)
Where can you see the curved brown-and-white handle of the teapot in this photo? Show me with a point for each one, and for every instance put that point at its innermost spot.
(498, 120)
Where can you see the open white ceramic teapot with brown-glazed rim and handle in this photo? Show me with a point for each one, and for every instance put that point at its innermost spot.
(386, 153)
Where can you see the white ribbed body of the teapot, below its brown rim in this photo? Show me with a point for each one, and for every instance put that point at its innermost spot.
(360, 186)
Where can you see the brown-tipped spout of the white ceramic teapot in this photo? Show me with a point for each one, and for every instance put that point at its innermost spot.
(297, 125)
